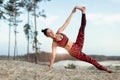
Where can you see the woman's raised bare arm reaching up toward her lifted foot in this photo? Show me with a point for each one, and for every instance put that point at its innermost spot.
(61, 29)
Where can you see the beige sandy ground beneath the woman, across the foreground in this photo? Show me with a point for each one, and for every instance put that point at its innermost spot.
(19, 70)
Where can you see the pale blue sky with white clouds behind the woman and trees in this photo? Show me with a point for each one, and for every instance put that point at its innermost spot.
(102, 34)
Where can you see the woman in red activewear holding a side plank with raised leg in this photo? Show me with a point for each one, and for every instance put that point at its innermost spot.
(74, 49)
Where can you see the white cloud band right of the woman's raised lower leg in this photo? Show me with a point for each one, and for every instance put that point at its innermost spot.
(107, 19)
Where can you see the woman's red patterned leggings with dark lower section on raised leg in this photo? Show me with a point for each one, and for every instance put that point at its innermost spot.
(76, 50)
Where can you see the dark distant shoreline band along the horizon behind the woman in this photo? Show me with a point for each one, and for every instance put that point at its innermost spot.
(45, 57)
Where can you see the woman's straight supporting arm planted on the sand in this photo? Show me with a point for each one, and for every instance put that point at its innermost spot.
(53, 54)
